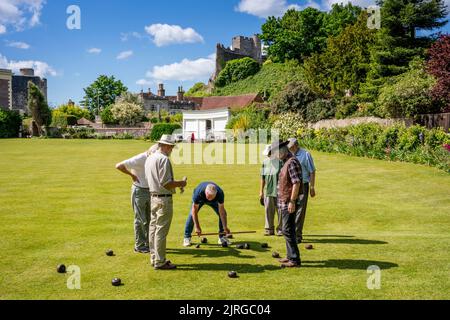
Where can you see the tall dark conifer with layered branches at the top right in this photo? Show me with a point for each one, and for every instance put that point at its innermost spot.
(397, 43)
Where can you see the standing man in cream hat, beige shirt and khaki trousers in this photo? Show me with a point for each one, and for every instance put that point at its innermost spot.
(159, 173)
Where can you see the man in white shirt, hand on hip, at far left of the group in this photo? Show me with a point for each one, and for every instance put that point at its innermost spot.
(140, 197)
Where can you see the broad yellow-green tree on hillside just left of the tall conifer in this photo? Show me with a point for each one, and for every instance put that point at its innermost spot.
(344, 64)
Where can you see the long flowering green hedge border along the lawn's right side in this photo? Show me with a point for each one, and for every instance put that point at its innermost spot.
(415, 144)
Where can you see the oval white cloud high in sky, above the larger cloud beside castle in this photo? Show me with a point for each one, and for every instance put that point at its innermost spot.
(164, 34)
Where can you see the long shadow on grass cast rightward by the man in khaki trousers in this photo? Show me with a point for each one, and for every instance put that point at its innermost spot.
(238, 267)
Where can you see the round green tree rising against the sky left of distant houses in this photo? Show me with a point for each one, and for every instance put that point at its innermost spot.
(102, 93)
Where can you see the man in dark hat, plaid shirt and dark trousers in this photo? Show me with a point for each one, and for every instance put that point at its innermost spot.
(289, 190)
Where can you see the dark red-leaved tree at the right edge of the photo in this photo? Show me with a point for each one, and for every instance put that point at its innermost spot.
(438, 65)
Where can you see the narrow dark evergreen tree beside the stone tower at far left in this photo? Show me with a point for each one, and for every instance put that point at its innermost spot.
(38, 107)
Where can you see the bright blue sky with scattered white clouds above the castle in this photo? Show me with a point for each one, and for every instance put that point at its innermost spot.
(141, 42)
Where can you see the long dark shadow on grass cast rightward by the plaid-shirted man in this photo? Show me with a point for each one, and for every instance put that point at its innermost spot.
(348, 264)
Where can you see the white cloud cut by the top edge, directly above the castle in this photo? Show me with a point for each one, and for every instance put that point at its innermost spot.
(265, 8)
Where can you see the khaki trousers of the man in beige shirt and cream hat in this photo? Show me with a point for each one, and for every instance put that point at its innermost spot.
(160, 220)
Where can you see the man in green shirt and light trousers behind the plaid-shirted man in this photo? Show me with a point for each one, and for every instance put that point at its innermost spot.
(268, 191)
